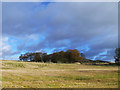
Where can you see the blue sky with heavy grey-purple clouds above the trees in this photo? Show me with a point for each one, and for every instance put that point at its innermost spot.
(90, 27)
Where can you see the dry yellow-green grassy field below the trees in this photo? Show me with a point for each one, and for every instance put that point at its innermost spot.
(16, 74)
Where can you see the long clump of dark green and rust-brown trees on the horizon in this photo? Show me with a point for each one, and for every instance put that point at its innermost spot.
(70, 56)
